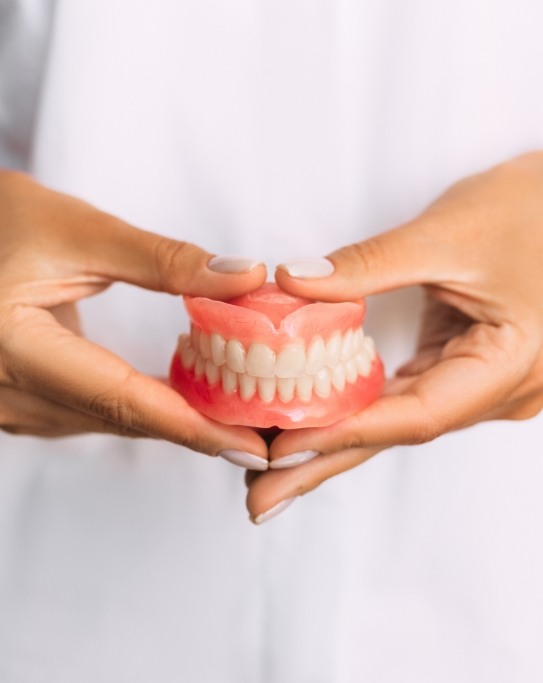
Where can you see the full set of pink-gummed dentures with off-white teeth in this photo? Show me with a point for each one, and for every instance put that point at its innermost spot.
(269, 359)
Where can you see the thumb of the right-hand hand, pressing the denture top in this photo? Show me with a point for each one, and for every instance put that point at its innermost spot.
(414, 253)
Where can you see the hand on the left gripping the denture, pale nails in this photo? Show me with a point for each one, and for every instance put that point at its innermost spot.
(55, 250)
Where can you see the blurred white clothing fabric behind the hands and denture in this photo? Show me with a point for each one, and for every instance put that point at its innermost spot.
(275, 129)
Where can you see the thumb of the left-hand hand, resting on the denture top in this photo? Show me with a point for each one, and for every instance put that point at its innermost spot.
(122, 252)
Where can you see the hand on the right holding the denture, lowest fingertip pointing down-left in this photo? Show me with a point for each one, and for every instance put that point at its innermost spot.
(478, 252)
